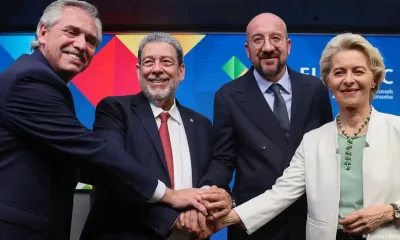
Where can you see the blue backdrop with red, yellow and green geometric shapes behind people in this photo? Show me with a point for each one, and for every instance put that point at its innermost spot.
(211, 60)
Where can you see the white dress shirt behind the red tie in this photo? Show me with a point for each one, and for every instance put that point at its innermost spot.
(180, 155)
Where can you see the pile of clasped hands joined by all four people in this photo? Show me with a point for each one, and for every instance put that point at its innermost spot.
(206, 211)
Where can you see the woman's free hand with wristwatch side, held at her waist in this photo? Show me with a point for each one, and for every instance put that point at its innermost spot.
(367, 220)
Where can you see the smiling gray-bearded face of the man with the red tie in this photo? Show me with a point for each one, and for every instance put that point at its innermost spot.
(159, 72)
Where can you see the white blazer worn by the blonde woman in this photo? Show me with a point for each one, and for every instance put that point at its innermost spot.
(315, 169)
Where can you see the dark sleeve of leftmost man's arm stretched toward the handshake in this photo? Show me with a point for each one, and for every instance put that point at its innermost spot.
(37, 111)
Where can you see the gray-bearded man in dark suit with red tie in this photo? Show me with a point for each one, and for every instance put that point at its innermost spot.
(135, 122)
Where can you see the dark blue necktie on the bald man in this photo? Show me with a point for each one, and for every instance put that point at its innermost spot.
(280, 109)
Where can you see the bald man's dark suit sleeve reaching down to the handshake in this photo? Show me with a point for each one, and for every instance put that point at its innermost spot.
(223, 150)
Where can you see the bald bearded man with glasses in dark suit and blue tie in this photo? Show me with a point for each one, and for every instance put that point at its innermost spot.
(259, 120)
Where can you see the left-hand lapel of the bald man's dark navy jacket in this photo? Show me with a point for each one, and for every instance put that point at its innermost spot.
(252, 102)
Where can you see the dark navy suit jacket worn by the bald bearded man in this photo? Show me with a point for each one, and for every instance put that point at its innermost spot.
(250, 140)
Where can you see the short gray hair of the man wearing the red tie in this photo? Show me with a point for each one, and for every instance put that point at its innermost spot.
(162, 38)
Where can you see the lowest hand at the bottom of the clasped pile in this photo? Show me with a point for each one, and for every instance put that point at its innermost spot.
(195, 222)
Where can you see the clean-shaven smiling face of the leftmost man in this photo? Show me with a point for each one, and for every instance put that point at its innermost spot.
(70, 44)
